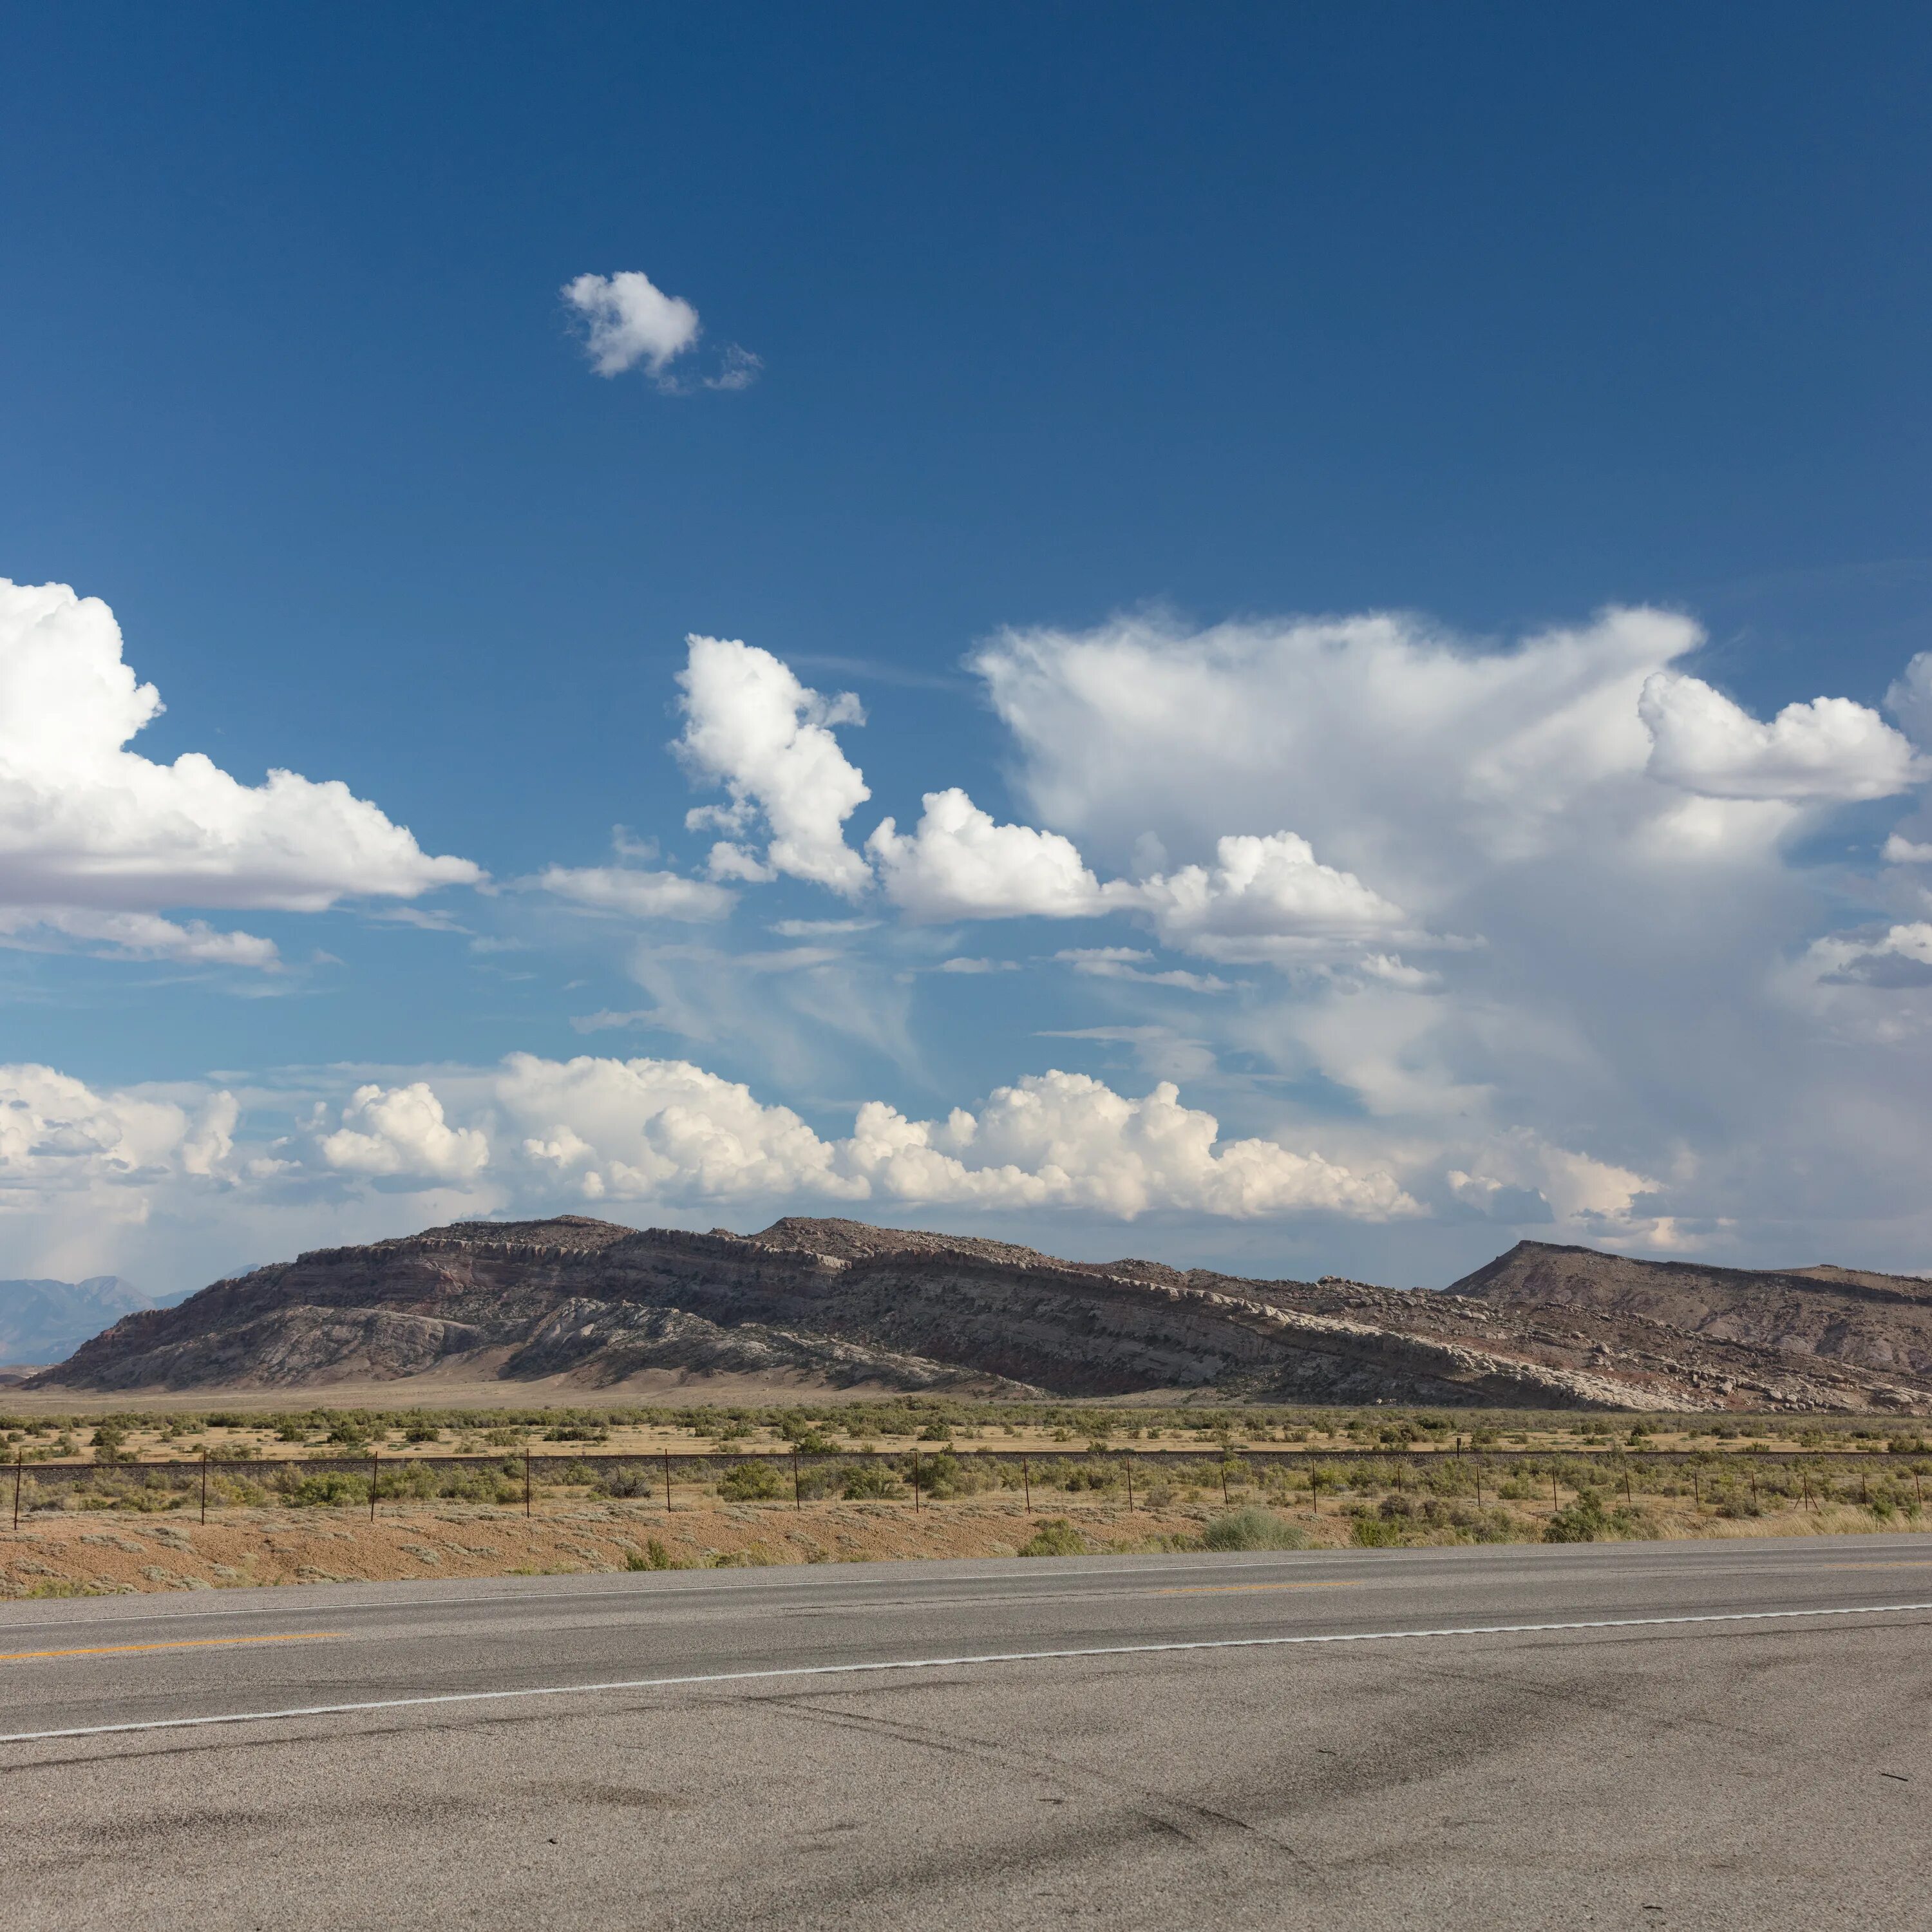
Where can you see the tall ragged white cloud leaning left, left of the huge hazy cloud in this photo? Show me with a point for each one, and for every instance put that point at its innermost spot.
(754, 729)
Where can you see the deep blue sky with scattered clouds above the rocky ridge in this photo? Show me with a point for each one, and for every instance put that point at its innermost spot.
(1131, 337)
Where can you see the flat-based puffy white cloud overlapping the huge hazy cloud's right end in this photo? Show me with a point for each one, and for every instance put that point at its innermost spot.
(1823, 751)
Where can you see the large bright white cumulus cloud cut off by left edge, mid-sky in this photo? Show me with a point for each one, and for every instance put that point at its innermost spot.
(98, 839)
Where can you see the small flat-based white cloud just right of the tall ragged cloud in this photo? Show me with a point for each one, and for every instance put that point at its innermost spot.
(957, 865)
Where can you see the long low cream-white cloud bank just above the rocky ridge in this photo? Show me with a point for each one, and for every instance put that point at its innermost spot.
(82, 1168)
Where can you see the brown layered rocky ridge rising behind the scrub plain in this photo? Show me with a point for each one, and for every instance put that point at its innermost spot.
(845, 1305)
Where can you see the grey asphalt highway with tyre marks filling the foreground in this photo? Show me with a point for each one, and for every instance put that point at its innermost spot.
(1726, 1734)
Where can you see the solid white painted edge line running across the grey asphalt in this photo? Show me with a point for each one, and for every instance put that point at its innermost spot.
(940, 1664)
